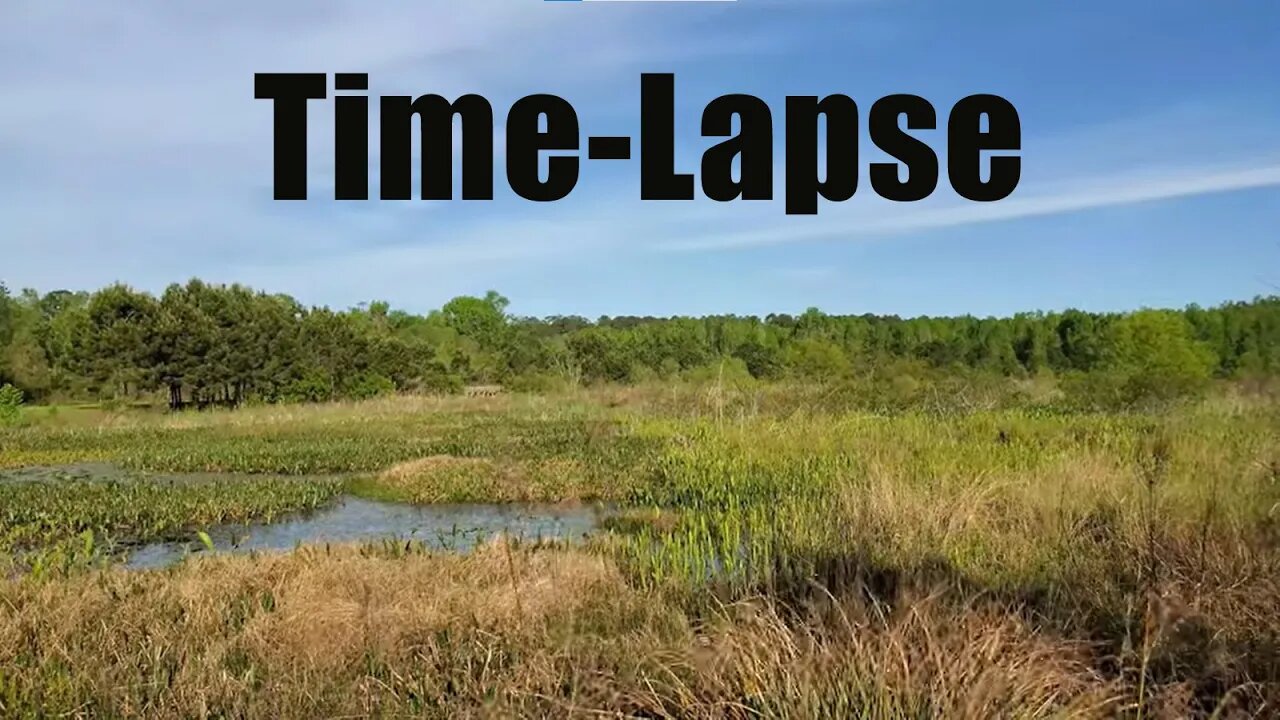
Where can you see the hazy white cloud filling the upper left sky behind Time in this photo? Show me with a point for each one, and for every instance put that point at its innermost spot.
(132, 148)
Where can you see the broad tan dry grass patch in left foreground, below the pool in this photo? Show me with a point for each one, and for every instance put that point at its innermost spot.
(295, 636)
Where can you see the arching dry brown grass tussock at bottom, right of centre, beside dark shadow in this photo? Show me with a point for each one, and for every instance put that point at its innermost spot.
(929, 659)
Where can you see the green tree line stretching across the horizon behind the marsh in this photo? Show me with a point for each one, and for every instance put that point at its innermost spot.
(200, 344)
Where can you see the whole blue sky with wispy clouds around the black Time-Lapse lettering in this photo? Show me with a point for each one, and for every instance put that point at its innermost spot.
(132, 151)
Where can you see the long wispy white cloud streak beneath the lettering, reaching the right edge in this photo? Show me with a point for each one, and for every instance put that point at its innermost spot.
(501, 249)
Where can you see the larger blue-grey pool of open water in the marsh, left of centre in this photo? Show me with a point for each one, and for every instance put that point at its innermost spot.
(351, 520)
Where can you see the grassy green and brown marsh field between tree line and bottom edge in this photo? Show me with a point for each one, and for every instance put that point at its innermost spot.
(771, 559)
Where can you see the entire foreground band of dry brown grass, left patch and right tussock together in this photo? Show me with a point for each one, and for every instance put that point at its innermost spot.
(508, 634)
